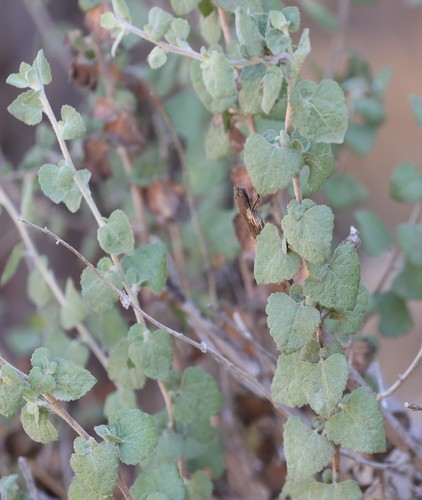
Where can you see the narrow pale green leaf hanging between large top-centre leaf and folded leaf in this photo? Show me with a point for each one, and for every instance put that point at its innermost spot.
(251, 93)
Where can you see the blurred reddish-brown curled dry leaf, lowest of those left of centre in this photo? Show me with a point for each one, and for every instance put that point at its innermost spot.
(165, 198)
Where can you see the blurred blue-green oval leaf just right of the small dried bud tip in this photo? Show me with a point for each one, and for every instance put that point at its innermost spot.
(374, 234)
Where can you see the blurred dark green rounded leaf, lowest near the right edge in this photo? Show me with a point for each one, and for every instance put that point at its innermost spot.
(395, 317)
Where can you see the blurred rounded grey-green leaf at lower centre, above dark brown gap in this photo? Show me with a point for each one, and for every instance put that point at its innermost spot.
(199, 397)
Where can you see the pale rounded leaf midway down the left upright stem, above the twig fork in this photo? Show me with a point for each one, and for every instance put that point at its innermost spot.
(116, 236)
